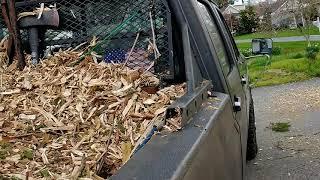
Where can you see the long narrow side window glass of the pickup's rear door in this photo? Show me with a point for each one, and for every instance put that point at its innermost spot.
(215, 38)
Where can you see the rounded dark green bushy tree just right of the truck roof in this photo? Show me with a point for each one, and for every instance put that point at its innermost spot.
(248, 20)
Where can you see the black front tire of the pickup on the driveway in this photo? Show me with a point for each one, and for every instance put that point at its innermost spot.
(252, 146)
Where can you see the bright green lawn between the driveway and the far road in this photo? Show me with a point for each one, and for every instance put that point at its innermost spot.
(290, 66)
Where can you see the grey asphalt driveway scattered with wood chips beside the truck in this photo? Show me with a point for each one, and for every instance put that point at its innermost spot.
(294, 155)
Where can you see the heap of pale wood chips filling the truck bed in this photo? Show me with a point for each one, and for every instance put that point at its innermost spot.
(58, 121)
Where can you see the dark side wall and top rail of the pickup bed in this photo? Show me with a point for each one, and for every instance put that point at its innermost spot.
(211, 136)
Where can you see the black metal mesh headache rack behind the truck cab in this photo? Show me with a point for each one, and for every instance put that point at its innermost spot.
(116, 23)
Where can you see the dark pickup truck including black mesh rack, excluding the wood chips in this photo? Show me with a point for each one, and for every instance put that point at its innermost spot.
(218, 134)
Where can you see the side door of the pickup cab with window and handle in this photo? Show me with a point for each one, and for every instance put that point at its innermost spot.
(228, 57)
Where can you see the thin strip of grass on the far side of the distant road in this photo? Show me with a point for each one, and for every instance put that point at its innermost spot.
(281, 33)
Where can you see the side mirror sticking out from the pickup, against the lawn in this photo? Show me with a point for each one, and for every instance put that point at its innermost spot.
(262, 46)
